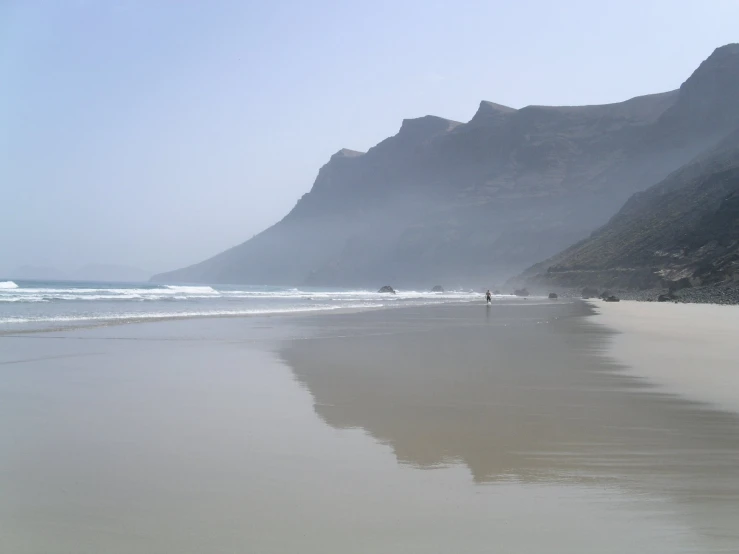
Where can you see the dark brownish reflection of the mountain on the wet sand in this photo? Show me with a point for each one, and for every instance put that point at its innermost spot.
(521, 392)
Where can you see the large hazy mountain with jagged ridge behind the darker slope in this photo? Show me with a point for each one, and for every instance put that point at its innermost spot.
(470, 203)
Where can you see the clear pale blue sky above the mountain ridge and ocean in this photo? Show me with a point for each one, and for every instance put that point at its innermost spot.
(155, 133)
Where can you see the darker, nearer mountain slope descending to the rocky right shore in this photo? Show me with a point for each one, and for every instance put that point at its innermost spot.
(683, 231)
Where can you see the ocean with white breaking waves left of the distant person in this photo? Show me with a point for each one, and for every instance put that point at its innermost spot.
(46, 305)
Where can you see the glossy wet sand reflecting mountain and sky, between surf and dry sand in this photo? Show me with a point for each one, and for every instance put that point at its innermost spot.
(439, 429)
